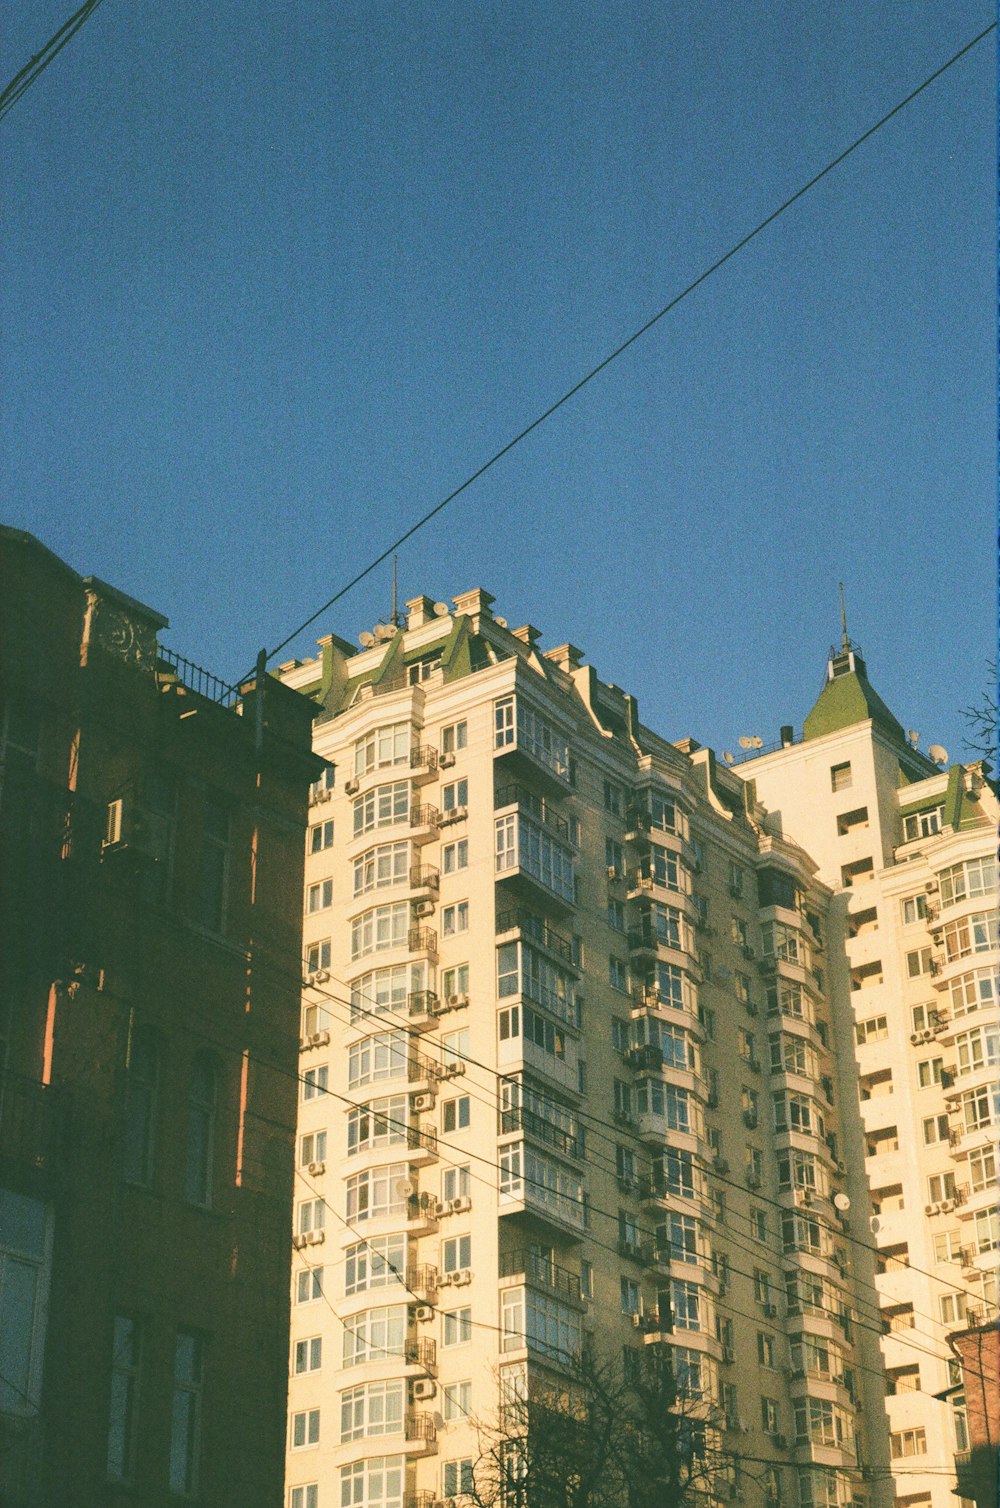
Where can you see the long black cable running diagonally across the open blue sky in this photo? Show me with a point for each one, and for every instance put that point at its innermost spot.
(633, 339)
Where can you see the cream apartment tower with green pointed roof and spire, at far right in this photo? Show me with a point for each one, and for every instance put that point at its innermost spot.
(909, 851)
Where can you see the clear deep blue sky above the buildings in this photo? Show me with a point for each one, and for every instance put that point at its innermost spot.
(277, 278)
